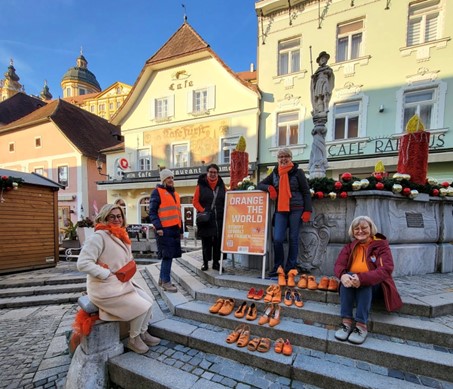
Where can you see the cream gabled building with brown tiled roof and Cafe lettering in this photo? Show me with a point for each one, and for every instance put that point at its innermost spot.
(187, 109)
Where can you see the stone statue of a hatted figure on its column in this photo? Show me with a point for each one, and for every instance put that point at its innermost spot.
(322, 84)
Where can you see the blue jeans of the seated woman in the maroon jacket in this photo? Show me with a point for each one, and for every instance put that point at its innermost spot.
(360, 297)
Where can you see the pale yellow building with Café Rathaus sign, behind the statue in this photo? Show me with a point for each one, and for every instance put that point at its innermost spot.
(390, 60)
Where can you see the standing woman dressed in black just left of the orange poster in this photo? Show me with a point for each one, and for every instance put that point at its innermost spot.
(210, 196)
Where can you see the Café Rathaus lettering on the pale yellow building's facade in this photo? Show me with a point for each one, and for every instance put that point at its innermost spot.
(379, 146)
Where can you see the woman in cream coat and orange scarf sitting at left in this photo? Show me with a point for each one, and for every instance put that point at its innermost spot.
(107, 251)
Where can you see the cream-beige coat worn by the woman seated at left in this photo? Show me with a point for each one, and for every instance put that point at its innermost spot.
(116, 300)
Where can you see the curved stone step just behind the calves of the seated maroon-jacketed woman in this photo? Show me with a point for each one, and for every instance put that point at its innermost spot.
(404, 327)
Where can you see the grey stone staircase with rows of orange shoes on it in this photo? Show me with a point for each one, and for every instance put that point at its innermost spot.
(405, 350)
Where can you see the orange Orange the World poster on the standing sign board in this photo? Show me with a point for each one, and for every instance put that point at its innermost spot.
(245, 222)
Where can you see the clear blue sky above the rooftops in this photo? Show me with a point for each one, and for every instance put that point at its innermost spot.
(44, 37)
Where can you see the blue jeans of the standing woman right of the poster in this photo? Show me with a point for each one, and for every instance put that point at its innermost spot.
(282, 221)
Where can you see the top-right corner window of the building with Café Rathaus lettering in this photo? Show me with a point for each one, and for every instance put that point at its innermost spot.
(423, 23)
